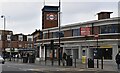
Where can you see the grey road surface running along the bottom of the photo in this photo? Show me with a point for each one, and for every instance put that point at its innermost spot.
(11, 67)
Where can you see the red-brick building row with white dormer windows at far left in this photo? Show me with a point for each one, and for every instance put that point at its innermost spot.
(9, 41)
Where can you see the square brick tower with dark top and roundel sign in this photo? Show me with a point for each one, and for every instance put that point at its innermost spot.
(50, 17)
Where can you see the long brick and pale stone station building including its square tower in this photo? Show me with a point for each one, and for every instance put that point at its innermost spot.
(80, 39)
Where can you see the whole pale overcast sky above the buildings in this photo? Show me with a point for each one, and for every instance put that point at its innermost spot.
(25, 16)
